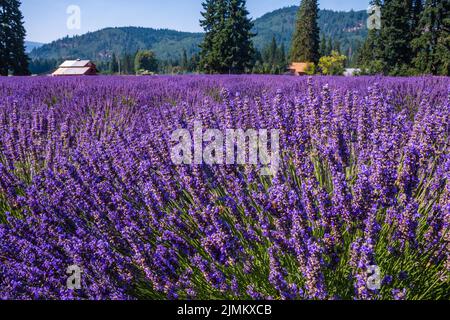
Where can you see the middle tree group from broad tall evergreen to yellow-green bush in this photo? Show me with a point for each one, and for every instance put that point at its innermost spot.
(228, 48)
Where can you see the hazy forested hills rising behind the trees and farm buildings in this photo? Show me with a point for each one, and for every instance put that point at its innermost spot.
(345, 27)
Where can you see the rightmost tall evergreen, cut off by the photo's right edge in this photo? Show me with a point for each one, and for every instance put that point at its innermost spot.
(433, 43)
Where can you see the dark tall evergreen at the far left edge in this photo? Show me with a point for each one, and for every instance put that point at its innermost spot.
(12, 39)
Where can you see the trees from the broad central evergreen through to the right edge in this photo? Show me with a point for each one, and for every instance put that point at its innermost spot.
(414, 39)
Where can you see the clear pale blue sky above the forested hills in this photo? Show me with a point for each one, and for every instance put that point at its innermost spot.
(46, 20)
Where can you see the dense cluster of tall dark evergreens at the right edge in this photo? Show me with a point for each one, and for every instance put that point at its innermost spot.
(414, 38)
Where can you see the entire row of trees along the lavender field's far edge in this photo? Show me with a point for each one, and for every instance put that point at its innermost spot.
(413, 39)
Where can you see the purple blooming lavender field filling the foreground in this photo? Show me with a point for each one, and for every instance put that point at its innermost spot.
(362, 192)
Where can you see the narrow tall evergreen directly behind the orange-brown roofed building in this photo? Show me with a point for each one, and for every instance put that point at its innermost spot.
(305, 43)
